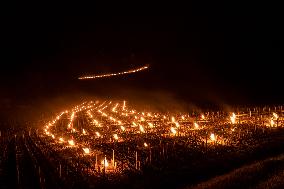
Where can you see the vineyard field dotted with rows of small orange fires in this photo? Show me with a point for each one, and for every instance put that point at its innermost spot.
(110, 144)
